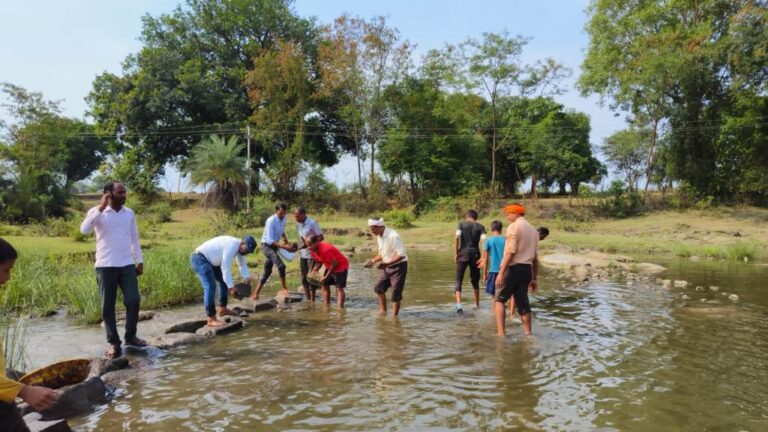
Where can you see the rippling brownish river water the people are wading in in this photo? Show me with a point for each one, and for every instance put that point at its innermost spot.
(604, 356)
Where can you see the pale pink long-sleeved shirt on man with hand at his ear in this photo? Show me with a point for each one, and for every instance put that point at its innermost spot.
(117, 236)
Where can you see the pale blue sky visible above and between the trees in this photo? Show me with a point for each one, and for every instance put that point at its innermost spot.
(58, 47)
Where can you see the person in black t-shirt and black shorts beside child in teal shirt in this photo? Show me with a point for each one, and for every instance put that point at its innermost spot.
(466, 253)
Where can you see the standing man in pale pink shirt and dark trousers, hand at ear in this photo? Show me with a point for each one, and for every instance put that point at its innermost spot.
(118, 263)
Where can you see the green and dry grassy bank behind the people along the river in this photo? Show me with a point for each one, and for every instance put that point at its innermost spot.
(57, 272)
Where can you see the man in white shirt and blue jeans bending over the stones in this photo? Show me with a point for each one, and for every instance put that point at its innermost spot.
(212, 261)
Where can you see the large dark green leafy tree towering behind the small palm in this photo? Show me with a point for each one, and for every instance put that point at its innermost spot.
(188, 80)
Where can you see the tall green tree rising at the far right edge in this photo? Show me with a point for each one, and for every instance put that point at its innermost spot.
(682, 63)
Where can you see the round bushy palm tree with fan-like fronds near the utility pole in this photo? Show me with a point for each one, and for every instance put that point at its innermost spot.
(218, 160)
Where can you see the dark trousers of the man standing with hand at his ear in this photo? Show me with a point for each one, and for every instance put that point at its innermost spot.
(109, 278)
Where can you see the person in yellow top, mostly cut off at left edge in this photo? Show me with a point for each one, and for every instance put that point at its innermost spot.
(39, 398)
